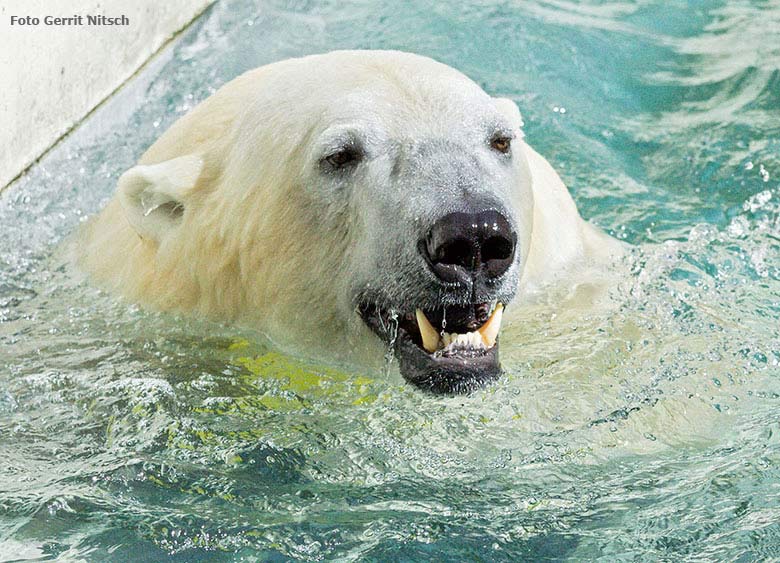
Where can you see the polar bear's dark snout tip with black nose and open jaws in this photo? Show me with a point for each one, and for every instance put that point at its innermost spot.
(445, 332)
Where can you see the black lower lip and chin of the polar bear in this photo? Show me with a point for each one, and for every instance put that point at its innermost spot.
(453, 374)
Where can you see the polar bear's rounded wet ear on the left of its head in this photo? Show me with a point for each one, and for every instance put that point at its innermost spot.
(154, 196)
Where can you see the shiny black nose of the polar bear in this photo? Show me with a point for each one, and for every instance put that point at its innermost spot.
(460, 246)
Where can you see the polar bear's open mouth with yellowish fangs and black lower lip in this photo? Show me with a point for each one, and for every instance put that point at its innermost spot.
(451, 349)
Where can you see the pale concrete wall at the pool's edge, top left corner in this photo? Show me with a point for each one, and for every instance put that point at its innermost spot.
(52, 76)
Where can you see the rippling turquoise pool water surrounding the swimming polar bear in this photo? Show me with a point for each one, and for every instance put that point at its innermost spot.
(650, 431)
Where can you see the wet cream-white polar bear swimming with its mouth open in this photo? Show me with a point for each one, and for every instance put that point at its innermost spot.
(342, 203)
